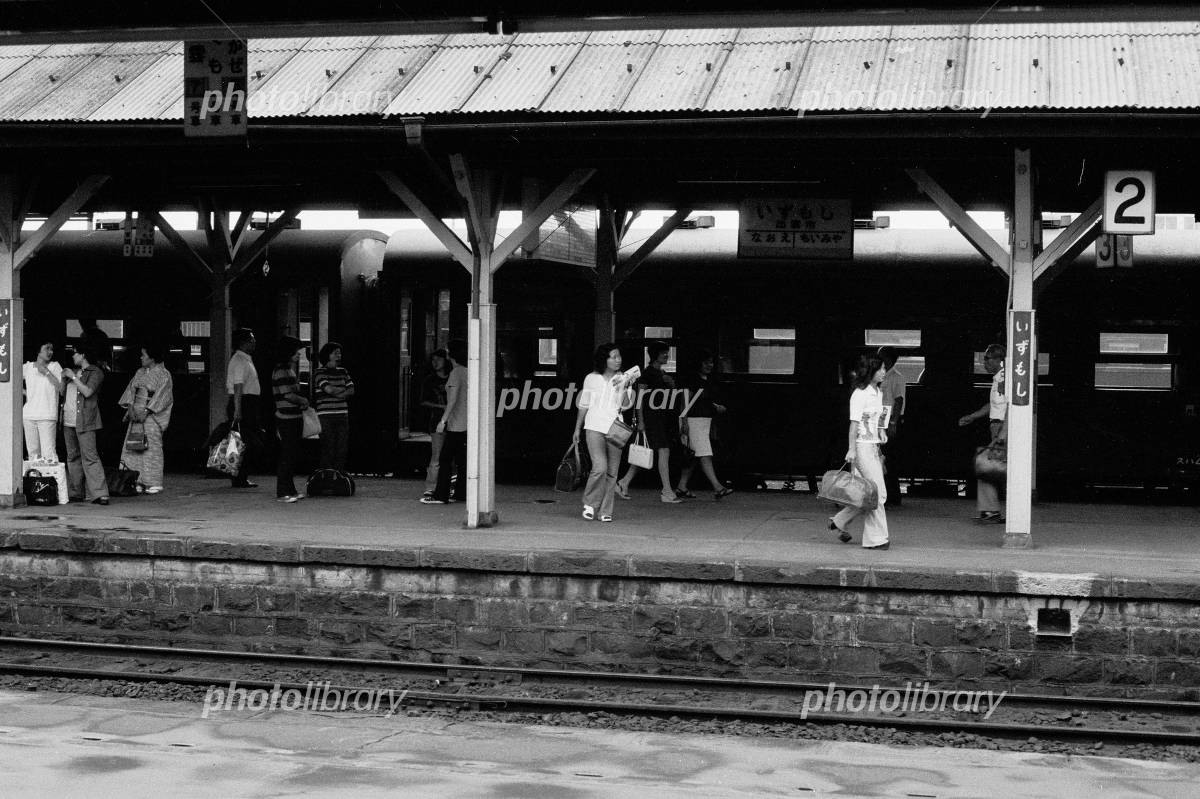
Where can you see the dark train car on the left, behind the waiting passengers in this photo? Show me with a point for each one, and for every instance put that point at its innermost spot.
(314, 285)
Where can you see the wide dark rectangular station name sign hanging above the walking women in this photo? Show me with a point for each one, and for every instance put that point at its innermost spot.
(796, 229)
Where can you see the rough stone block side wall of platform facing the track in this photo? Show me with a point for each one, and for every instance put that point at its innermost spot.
(569, 610)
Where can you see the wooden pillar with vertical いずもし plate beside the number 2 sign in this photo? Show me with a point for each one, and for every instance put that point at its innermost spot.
(1018, 533)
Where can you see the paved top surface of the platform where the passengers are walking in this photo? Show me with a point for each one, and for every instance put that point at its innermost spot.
(765, 537)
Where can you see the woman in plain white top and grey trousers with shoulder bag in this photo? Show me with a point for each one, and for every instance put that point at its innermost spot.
(604, 397)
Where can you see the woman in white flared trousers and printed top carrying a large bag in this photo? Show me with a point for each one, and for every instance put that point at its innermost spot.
(866, 413)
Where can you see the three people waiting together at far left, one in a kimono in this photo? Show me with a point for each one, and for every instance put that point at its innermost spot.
(69, 399)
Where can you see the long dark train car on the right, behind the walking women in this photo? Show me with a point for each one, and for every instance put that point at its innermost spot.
(1118, 386)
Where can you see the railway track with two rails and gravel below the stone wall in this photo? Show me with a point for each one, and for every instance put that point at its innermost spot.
(1099, 722)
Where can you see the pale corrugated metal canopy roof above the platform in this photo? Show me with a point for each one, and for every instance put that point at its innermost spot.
(853, 69)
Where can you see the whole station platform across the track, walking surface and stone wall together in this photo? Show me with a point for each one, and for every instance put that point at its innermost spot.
(1107, 602)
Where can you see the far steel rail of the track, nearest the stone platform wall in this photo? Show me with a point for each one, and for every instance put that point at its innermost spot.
(437, 671)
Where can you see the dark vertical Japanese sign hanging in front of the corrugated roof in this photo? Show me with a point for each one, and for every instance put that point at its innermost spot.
(215, 87)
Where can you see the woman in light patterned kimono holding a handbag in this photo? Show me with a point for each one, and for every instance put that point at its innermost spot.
(148, 402)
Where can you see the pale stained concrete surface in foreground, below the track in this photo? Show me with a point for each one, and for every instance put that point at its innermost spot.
(69, 746)
